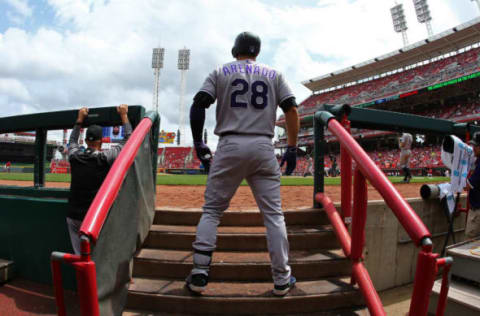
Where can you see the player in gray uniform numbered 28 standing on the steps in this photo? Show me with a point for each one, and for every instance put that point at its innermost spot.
(247, 95)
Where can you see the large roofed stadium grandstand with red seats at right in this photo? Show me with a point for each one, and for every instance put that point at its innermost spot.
(437, 77)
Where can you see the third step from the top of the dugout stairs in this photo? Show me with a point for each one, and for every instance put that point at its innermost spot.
(240, 266)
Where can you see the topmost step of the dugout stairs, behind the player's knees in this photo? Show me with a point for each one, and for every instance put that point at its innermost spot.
(191, 217)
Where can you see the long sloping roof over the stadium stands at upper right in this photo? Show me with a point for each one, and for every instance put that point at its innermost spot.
(451, 40)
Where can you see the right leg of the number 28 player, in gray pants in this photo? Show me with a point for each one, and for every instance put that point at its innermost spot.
(264, 180)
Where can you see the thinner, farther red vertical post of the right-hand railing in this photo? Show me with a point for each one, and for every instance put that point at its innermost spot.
(346, 178)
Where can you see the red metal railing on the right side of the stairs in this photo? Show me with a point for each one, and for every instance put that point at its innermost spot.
(428, 263)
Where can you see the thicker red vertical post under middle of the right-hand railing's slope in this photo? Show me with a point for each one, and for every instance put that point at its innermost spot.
(360, 200)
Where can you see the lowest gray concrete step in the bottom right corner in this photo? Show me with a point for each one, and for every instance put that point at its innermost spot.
(463, 299)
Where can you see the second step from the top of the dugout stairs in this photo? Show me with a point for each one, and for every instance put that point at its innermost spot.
(241, 238)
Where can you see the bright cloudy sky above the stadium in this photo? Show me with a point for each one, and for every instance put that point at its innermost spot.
(61, 54)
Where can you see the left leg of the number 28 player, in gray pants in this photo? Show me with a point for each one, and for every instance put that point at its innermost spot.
(226, 174)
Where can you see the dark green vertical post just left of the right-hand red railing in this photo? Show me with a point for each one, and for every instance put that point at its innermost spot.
(319, 159)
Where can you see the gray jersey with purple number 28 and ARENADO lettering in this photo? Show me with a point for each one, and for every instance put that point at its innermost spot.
(247, 94)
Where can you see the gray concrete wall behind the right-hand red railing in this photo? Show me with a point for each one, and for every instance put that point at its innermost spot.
(390, 254)
